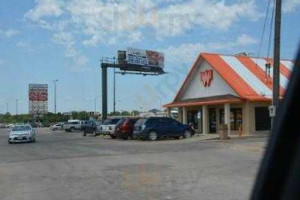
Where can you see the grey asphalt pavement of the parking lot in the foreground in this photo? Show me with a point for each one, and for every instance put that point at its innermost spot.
(65, 166)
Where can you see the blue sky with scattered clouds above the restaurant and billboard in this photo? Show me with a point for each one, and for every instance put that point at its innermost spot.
(43, 40)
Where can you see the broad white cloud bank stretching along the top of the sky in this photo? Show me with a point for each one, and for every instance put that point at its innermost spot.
(128, 20)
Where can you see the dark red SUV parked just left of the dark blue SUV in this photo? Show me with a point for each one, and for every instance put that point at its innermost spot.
(124, 128)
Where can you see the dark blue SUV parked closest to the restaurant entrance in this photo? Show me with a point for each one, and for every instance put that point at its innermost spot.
(161, 127)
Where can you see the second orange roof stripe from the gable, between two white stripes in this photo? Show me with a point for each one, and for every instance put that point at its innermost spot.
(258, 72)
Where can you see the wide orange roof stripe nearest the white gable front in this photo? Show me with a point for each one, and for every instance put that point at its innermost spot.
(230, 76)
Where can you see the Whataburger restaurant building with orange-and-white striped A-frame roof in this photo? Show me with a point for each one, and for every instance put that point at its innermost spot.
(229, 89)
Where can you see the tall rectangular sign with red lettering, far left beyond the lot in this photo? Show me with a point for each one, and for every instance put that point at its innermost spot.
(38, 99)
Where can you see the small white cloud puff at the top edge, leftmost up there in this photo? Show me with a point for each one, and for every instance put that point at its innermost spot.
(45, 8)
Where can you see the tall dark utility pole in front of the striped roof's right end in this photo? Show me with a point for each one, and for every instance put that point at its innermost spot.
(276, 71)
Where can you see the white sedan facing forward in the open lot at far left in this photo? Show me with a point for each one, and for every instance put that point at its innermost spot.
(21, 133)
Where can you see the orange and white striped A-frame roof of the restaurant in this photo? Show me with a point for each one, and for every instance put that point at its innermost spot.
(246, 75)
